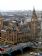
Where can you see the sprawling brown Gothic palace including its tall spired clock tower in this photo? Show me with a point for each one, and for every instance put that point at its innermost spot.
(16, 32)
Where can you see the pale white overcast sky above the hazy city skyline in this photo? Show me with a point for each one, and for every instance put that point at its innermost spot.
(6, 5)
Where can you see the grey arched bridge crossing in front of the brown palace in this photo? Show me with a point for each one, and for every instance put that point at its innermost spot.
(9, 49)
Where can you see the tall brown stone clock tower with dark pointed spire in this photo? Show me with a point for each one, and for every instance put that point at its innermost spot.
(34, 26)
